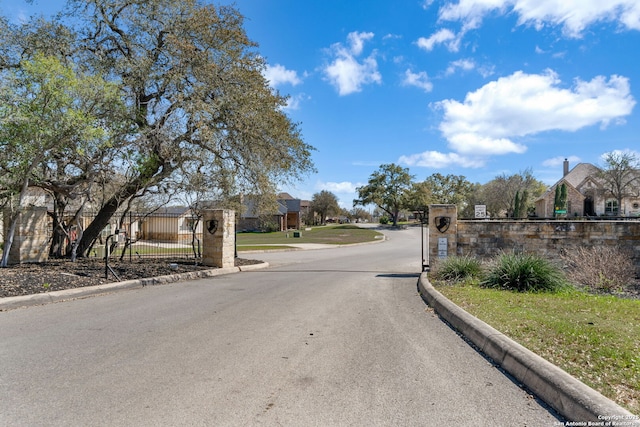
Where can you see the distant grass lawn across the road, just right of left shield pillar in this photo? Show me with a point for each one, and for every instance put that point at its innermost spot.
(334, 235)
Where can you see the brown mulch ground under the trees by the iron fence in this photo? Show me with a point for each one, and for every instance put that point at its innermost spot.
(27, 279)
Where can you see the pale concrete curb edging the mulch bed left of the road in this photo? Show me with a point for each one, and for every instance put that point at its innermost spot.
(9, 303)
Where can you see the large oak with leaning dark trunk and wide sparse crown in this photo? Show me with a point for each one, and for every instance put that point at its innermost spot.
(193, 87)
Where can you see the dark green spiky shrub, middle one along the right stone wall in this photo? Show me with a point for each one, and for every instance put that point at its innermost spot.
(525, 273)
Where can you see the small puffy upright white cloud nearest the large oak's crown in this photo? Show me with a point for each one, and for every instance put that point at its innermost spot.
(345, 72)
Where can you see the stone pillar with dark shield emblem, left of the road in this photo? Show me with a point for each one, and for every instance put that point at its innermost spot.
(218, 238)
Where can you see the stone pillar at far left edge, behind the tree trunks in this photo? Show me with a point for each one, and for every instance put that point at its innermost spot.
(31, 238)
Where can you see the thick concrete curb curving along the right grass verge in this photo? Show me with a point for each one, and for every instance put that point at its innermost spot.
(573, 399)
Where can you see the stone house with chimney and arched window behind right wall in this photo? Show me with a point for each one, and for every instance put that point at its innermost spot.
(587, 195)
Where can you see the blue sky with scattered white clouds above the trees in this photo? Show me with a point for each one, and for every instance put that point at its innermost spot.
(478, 88)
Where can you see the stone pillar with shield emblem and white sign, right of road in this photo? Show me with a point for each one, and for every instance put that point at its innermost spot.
(443, 232)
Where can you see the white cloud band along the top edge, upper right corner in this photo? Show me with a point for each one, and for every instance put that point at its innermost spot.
(572, 15)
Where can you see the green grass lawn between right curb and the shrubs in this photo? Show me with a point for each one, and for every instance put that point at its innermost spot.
(594, 338)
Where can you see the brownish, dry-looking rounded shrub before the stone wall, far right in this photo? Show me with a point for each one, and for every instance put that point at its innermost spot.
(600, 268)
